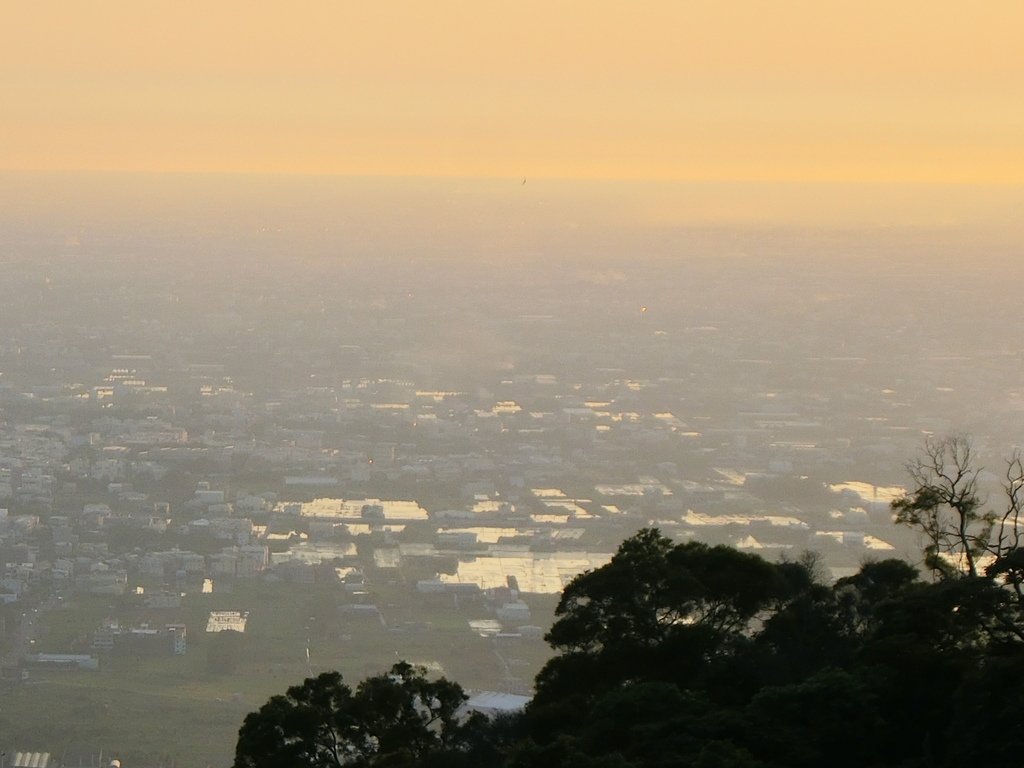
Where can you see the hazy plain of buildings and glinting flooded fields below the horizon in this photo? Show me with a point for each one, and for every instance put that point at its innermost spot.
(221, 473)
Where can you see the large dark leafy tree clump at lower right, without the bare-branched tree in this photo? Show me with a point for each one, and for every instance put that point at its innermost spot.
(689, 655)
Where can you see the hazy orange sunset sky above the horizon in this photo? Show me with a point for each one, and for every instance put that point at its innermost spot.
(801, 91)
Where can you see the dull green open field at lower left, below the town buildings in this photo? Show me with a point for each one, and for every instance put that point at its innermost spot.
(186, 711)
